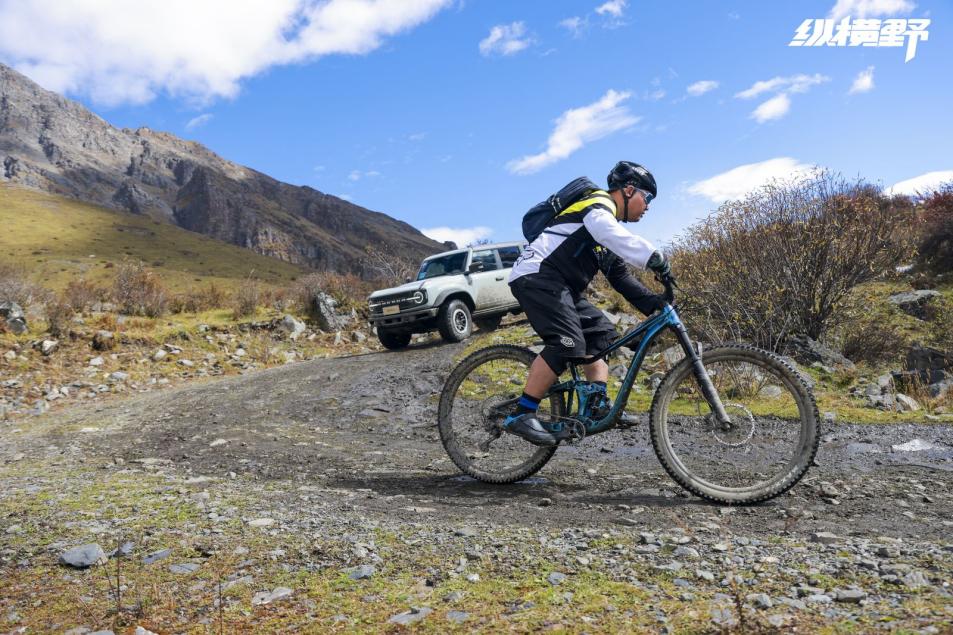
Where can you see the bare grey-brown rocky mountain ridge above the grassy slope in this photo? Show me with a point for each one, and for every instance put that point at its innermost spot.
(54, 144)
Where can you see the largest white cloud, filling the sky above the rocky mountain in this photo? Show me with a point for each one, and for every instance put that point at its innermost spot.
(129, 52)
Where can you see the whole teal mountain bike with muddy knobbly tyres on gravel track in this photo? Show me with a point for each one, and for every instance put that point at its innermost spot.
(733, 424)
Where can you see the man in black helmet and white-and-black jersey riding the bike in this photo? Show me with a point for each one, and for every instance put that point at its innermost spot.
(552, 273)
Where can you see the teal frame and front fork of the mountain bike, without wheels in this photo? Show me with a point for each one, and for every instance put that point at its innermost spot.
(648, 330)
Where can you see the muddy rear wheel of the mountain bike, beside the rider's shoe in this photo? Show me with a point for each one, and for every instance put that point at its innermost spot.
(477, 396)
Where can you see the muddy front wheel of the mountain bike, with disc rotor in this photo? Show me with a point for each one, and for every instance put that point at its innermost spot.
(768, 447)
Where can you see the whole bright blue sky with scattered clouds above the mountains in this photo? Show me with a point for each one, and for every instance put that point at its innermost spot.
(462, 114)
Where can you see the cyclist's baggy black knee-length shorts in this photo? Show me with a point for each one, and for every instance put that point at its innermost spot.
(570, 326)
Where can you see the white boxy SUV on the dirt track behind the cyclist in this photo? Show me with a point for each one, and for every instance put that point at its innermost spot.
(453, 289)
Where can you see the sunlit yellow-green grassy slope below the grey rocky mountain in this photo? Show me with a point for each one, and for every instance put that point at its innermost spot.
(57, 239)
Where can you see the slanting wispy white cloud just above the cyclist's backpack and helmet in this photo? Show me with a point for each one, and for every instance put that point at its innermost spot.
(576, 127)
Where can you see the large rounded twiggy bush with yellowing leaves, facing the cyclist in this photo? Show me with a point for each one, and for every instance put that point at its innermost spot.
(781, 260)
